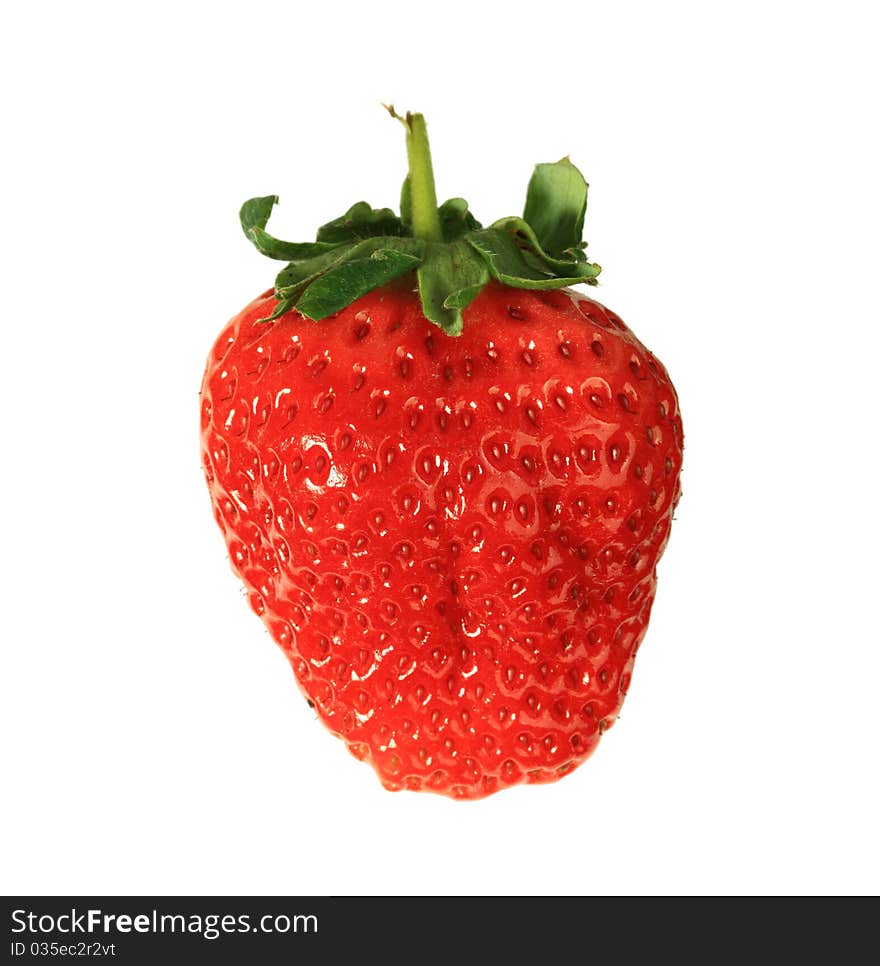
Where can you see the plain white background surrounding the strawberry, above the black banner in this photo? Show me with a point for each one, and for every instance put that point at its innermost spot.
(154, 741)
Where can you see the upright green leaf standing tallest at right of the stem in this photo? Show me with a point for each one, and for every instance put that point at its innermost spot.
(556, 202)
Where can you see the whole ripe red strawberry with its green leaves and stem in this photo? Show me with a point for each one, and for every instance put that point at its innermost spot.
(446, 479)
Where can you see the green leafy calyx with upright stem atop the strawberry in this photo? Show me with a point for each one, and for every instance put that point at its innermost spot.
(452, 255)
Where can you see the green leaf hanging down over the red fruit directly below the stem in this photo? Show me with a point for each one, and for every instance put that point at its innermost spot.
(450, 278)
